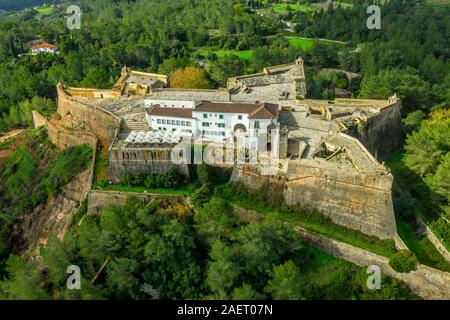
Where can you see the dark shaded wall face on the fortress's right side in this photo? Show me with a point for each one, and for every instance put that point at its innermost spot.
(383, 133)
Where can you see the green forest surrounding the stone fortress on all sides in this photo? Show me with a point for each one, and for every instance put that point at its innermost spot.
(164, 251)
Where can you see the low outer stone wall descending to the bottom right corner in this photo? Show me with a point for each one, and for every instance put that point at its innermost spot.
(426, 282)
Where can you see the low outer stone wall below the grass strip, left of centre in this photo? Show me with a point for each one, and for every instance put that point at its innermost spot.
(100, 200)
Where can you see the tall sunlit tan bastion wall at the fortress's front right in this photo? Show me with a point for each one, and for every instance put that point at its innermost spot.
(362, 202)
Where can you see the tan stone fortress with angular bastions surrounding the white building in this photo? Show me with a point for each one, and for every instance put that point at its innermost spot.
(327, 152)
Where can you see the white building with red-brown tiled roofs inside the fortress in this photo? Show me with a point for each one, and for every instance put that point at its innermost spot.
(212, 121)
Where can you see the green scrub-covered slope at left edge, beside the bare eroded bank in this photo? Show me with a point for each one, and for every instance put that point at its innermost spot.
(35, 171)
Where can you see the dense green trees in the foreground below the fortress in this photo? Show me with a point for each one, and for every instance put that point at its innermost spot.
(152, 252)
